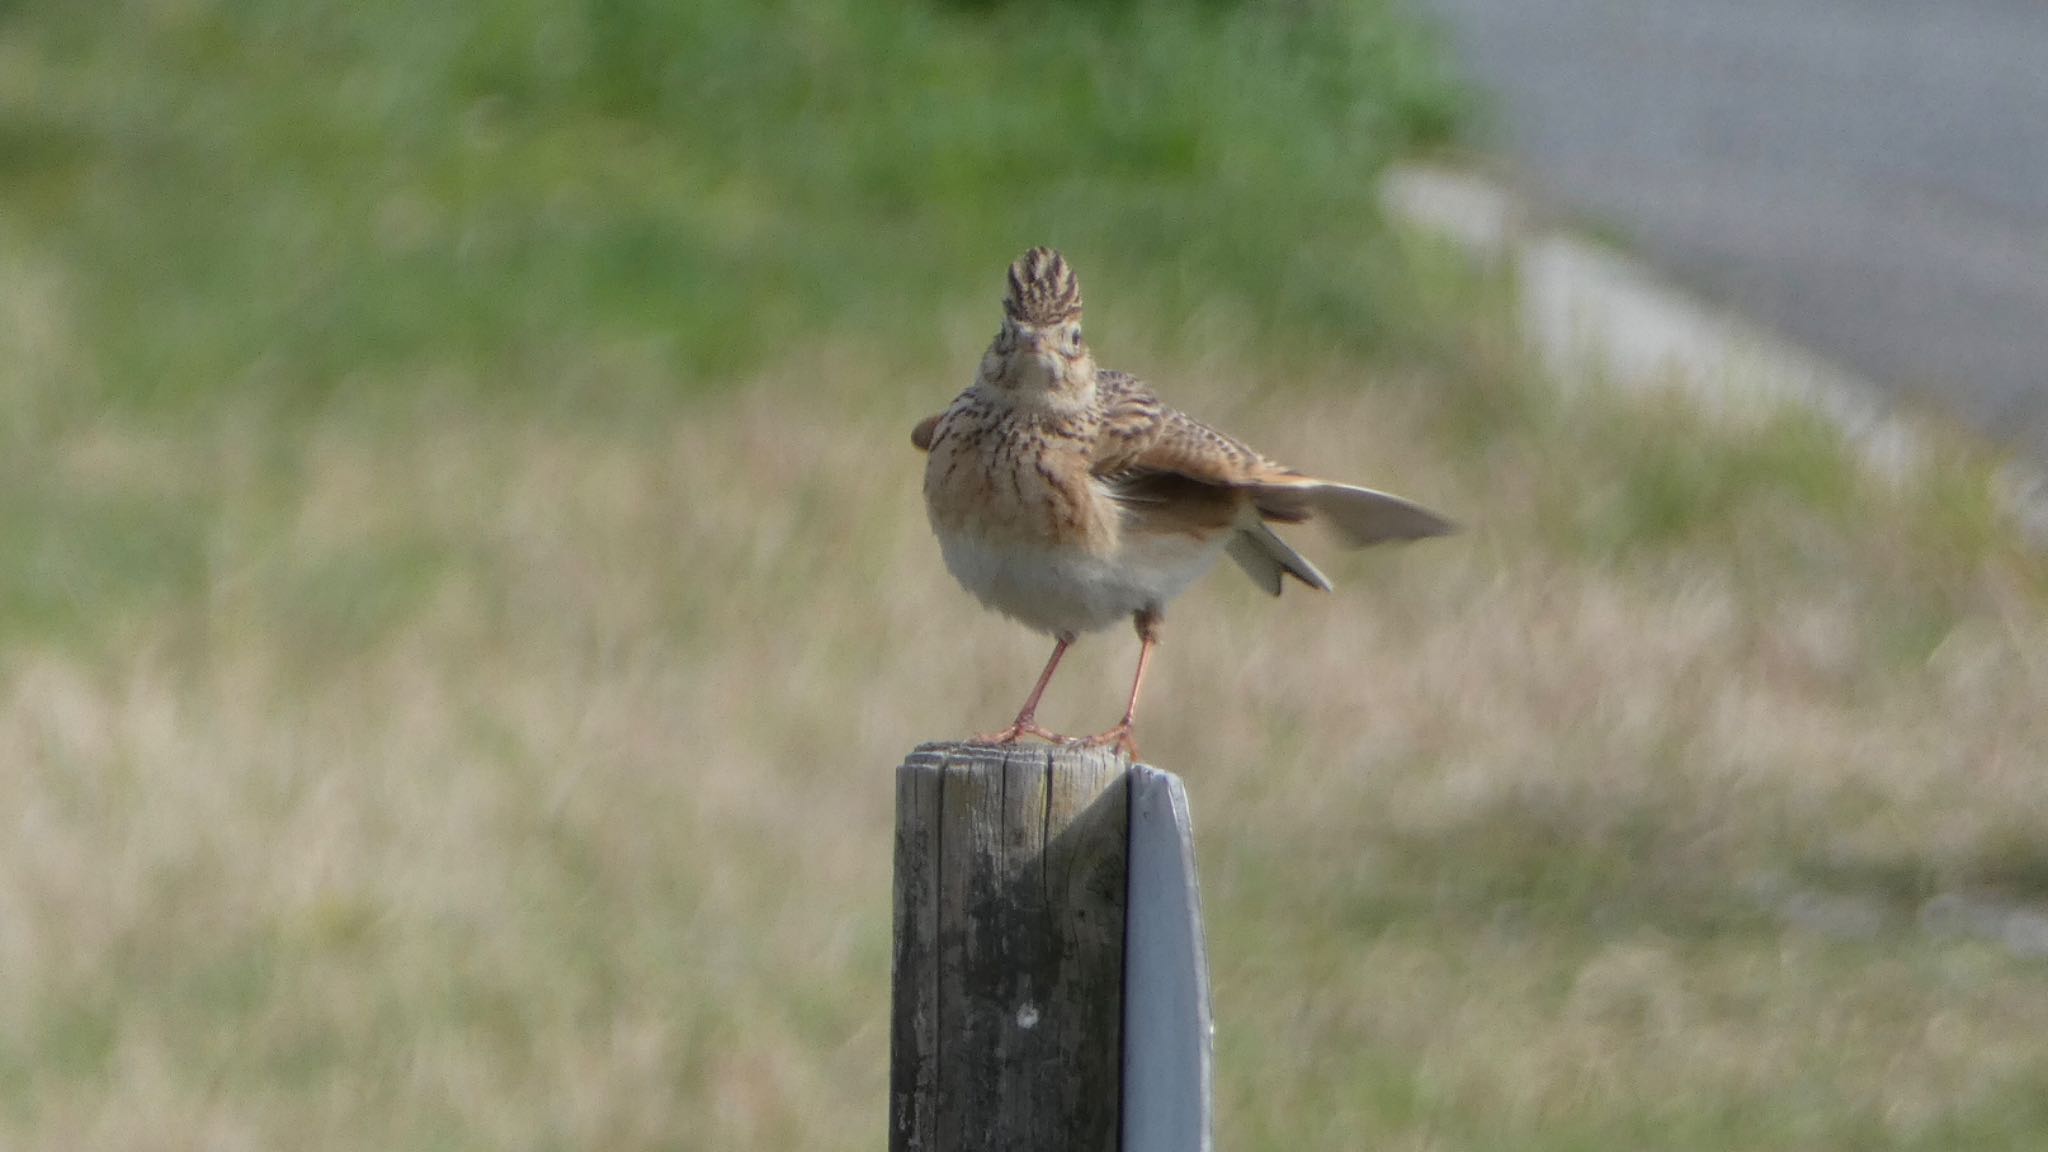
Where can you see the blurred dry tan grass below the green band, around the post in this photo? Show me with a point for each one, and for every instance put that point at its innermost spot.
(501, 782)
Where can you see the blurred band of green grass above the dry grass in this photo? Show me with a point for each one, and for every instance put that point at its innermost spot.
(300, 200)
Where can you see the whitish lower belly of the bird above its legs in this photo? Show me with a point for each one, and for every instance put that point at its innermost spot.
(1078, 591)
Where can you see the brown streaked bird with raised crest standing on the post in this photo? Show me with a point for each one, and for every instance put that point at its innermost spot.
(1068, 497)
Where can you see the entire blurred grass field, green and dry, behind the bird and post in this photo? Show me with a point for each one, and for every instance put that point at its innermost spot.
(464, 591)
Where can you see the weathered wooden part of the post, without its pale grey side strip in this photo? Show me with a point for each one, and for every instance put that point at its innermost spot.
(1011, 874)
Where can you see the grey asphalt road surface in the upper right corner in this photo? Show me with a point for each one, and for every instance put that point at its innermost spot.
(1867, 177)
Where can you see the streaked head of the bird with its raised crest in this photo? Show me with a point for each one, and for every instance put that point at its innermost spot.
(1039, 356)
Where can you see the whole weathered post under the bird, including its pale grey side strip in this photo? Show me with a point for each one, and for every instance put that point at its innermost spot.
(1052, 991)
